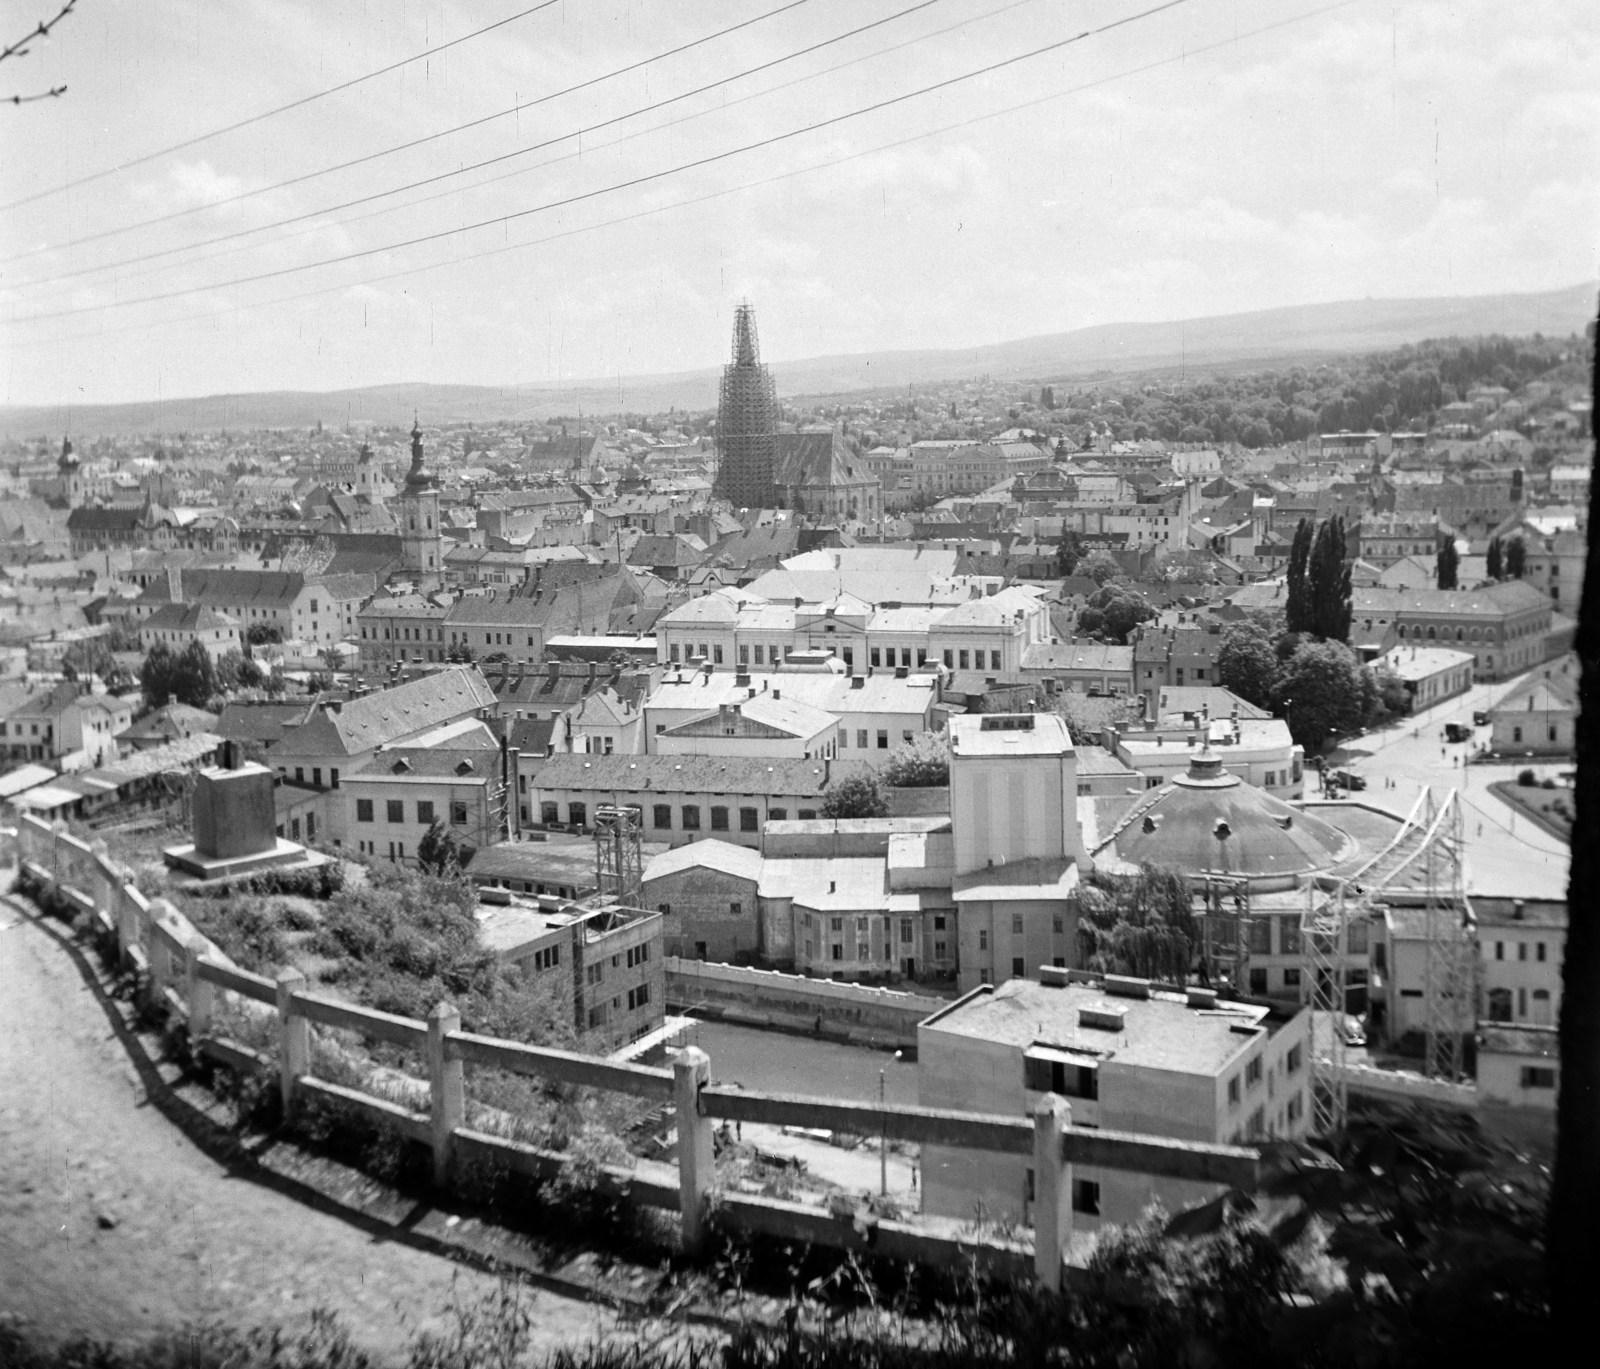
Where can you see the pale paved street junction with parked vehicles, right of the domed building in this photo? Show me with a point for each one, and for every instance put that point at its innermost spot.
(1506, 855)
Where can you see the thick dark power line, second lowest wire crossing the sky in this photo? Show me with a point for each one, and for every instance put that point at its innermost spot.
(633, 183)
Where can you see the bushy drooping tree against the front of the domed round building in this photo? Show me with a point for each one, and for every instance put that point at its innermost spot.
(1142, 925)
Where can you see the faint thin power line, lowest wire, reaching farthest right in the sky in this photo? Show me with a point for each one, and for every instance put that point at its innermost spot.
(727, 191)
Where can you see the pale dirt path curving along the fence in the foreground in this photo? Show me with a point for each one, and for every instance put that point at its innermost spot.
(82, 1147)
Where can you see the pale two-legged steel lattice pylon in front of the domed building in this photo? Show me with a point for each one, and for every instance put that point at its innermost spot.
(1425, 861)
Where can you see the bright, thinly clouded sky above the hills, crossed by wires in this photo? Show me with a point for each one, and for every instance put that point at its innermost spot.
(1180, 166)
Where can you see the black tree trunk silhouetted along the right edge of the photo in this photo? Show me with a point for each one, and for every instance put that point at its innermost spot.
(1574, 1224)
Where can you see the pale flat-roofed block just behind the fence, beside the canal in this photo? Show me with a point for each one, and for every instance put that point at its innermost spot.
(1127, 1056)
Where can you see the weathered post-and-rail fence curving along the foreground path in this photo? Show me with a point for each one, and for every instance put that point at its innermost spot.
(183, 973)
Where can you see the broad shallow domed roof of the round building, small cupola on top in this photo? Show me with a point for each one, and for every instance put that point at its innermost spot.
(1210, 821)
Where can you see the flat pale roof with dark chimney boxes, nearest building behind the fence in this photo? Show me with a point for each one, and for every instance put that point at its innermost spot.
(1158, 1032)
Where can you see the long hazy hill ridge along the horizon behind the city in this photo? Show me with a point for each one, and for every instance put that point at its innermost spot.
(1270, 337)
